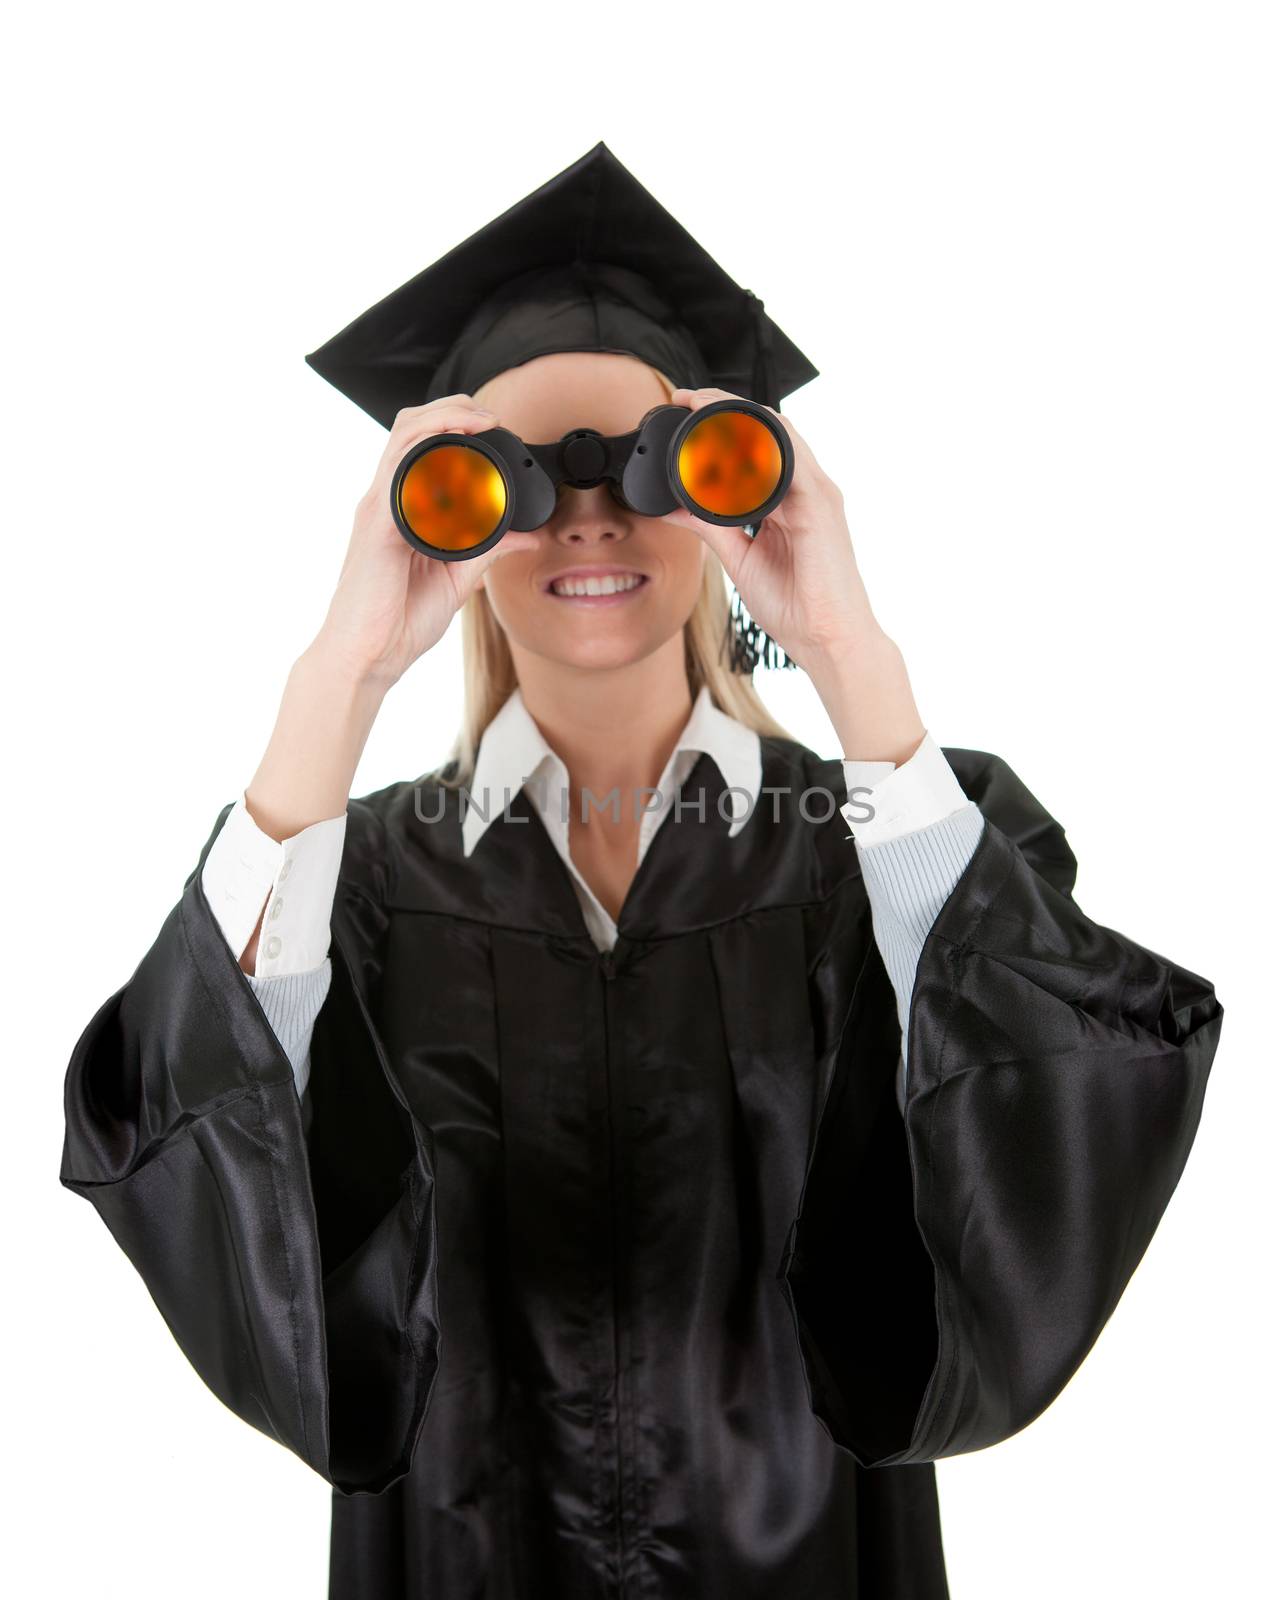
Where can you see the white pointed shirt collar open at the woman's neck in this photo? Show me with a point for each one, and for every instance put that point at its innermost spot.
(513, 750)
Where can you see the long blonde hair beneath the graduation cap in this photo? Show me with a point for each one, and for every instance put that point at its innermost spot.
(490, 676)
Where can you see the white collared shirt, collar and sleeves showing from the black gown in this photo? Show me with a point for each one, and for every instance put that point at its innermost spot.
(912, 850)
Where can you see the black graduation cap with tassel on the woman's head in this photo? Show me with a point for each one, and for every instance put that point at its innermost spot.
(589, 262)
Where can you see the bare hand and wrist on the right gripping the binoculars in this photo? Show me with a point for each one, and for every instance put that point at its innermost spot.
(802, 585)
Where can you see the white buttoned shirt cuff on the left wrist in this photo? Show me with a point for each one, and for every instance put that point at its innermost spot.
(295, 878)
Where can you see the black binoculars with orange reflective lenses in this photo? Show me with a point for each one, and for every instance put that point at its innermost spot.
(455, 495)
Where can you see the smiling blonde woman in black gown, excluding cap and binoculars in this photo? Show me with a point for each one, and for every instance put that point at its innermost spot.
(634, 1199)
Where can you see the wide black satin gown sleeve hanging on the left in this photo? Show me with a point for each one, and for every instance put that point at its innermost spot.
(297, 1270)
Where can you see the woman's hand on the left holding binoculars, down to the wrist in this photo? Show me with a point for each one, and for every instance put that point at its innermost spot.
(393, 604)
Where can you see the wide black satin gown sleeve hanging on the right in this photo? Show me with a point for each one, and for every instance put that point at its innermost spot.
(1056, 1076)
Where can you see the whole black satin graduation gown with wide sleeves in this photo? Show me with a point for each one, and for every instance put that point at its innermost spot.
(625, 1276)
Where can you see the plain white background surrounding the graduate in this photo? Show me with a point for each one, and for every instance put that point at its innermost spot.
(1032, 250)
